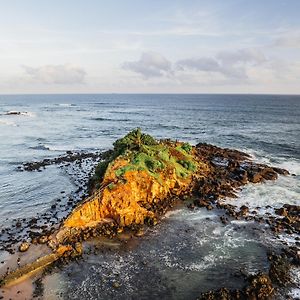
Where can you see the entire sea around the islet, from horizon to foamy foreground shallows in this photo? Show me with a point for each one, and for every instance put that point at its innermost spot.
(189, 251)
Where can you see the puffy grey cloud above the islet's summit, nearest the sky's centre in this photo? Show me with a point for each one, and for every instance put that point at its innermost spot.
(150, 64)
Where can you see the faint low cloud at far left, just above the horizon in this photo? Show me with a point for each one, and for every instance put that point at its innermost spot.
(56, 74)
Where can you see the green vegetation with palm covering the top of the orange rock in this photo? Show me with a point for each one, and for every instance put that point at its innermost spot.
(146, 154)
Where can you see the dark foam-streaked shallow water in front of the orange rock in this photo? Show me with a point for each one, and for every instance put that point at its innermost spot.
(188, 253)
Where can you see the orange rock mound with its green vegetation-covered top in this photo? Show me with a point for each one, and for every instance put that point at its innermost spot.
(140, 173)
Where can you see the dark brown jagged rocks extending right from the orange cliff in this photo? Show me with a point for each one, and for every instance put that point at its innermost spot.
(228, 170)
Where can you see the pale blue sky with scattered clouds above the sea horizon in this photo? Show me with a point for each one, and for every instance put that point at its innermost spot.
(142, 46)
